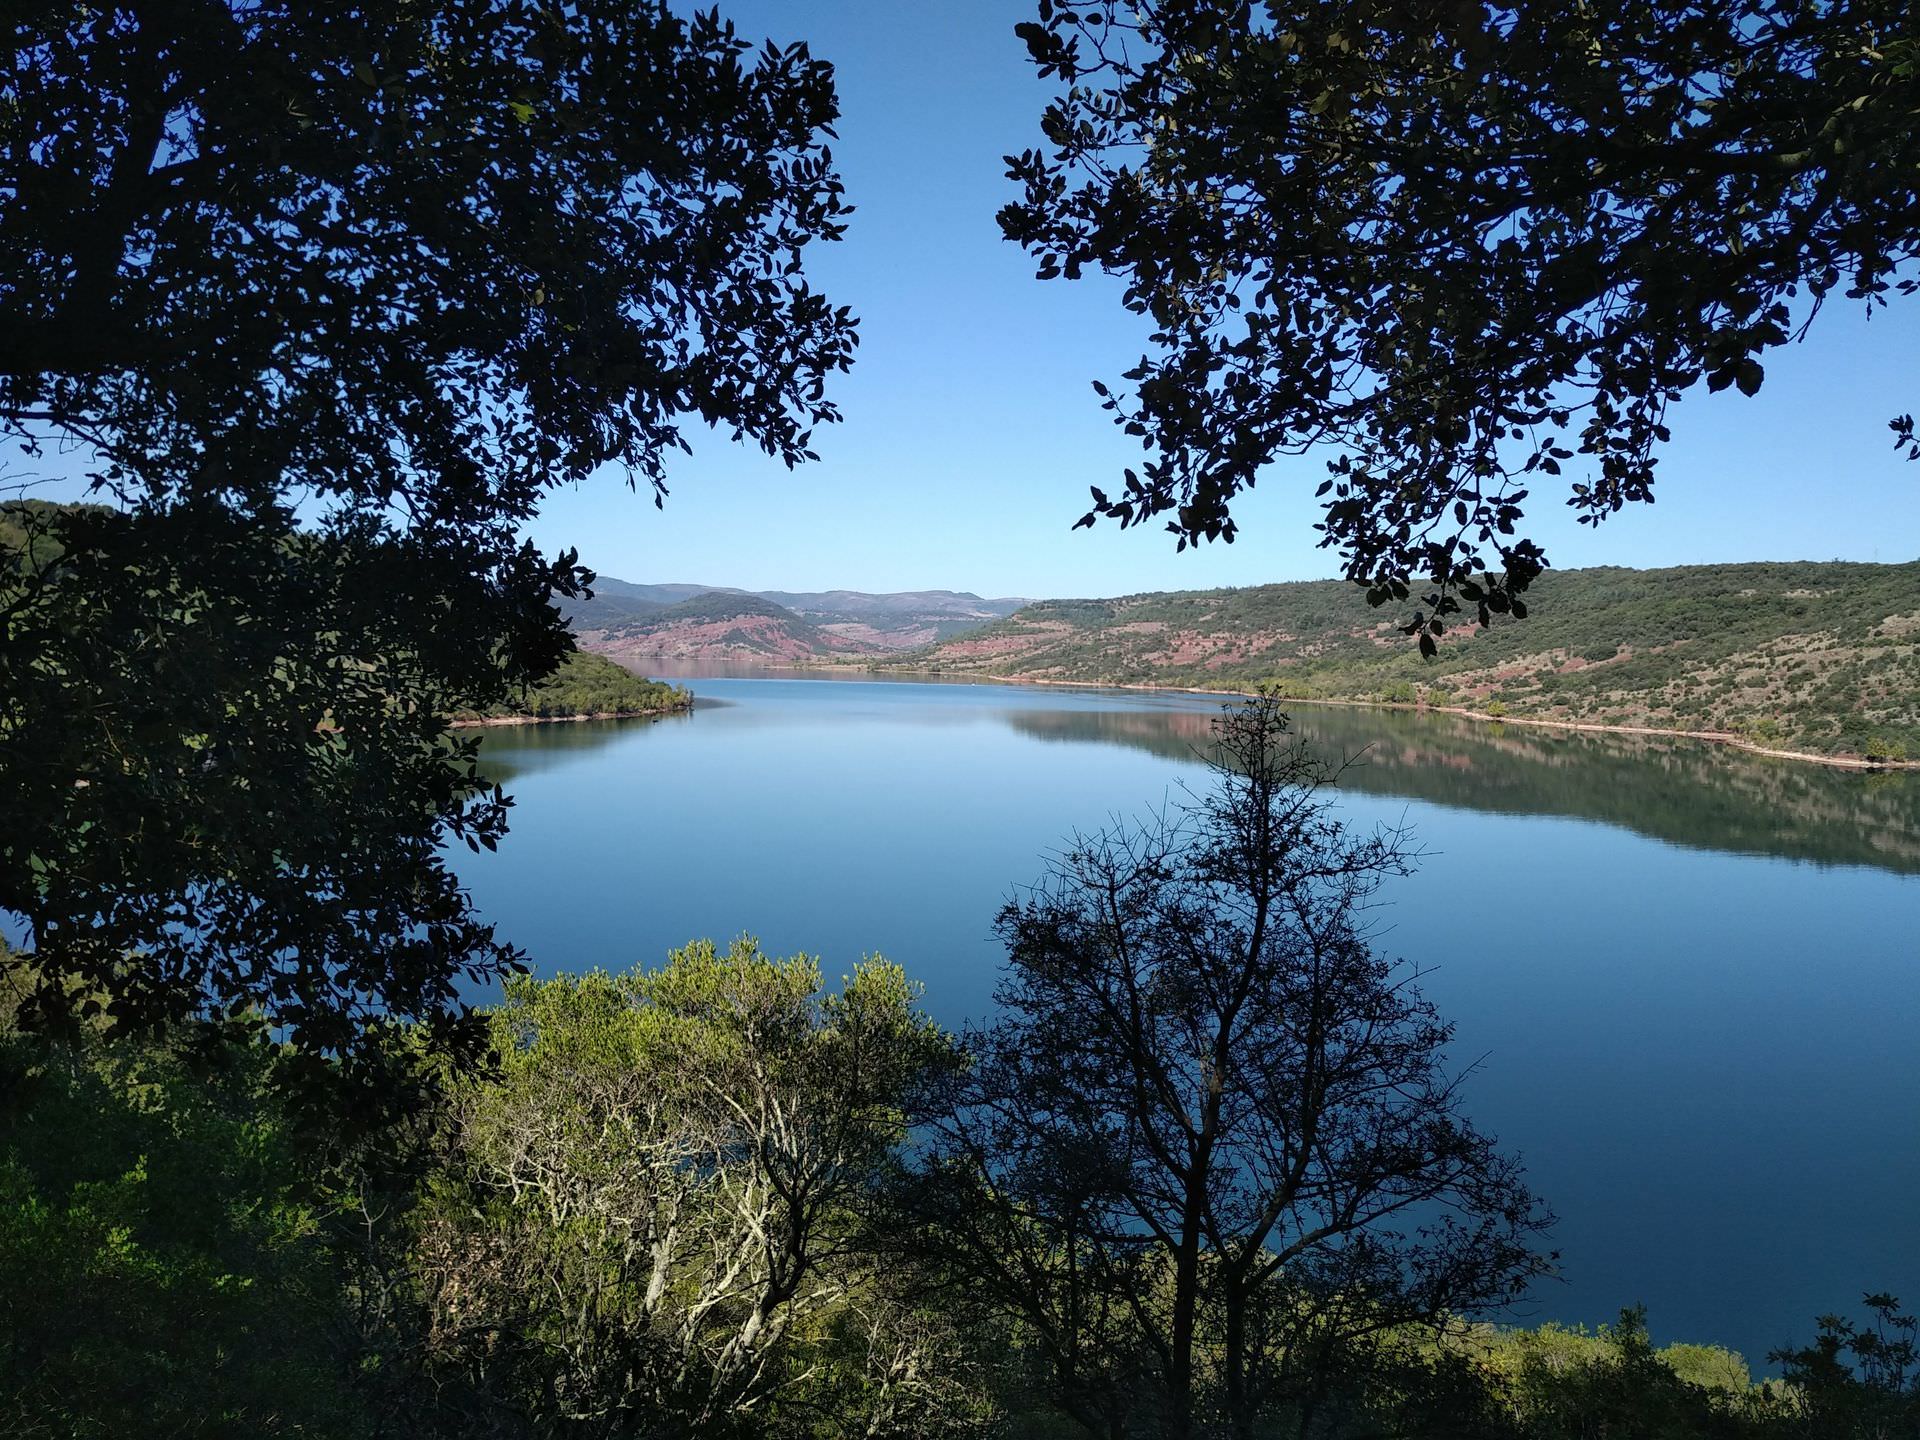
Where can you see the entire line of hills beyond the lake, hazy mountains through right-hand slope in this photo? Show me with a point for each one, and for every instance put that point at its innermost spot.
(1817, 658)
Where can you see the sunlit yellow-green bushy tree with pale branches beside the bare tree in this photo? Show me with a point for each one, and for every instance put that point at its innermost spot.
(652, 1222)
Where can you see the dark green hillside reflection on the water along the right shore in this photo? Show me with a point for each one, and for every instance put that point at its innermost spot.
(1681, 792)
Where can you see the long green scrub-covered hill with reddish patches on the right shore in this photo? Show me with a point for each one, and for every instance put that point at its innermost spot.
(1821, 658)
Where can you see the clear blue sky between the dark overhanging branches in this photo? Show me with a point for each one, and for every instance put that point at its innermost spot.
(971, 431)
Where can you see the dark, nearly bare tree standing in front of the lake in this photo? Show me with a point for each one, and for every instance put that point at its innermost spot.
(1211, 1145)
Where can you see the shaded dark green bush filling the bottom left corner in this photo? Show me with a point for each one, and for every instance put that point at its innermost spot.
(162, 1247)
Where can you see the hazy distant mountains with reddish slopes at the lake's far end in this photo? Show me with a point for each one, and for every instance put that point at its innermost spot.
(725, 623)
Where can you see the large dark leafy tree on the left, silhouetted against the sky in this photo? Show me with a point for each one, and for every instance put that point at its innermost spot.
(327, 299)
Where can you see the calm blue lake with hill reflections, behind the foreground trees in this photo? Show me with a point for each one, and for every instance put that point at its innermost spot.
(1691, 978)
